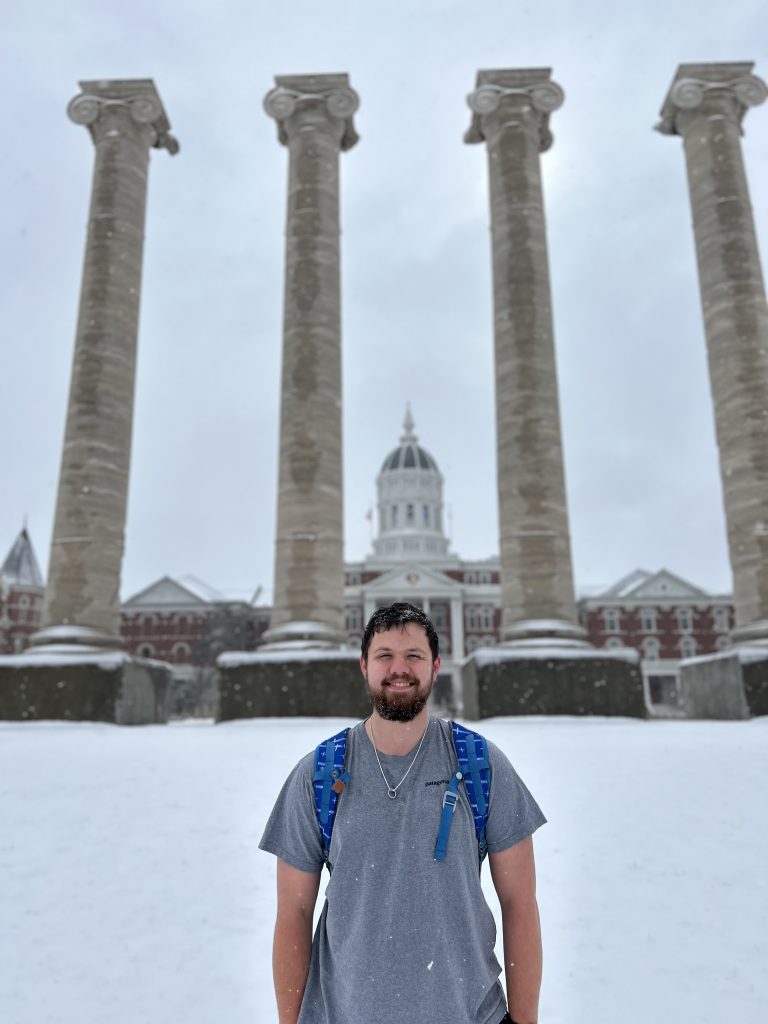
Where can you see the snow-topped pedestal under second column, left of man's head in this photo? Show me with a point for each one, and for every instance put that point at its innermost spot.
(290, 684)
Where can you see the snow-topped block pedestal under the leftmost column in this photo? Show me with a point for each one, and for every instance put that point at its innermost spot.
(67, 682)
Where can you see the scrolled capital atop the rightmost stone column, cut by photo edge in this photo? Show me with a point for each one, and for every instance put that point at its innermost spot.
(710, 91)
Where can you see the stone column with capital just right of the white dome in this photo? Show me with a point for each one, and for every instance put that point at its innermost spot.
(510, 114)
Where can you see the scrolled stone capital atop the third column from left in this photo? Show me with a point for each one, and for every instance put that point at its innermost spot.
(525, 98)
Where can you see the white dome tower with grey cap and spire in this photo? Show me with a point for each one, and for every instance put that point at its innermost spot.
(410, 502)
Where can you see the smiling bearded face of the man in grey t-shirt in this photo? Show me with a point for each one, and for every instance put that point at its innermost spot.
(400, 672)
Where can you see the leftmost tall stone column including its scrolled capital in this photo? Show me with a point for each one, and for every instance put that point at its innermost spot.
(82, 605)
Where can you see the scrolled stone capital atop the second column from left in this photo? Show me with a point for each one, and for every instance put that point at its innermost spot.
(321, 102)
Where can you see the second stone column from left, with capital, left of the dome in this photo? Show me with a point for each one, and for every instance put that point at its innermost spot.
(315, 122)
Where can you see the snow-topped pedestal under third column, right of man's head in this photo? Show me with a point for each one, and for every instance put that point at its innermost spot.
(552, 680)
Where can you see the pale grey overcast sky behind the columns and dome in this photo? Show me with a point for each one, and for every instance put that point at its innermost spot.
(638, 433)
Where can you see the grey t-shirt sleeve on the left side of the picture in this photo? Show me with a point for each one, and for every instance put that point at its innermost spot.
(292, 832)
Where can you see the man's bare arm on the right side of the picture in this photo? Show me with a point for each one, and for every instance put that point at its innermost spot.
(514, 873)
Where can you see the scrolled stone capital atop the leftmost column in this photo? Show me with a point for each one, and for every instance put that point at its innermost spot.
(114, 107)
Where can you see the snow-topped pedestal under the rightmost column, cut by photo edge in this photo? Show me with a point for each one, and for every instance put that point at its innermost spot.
(728, 687)
